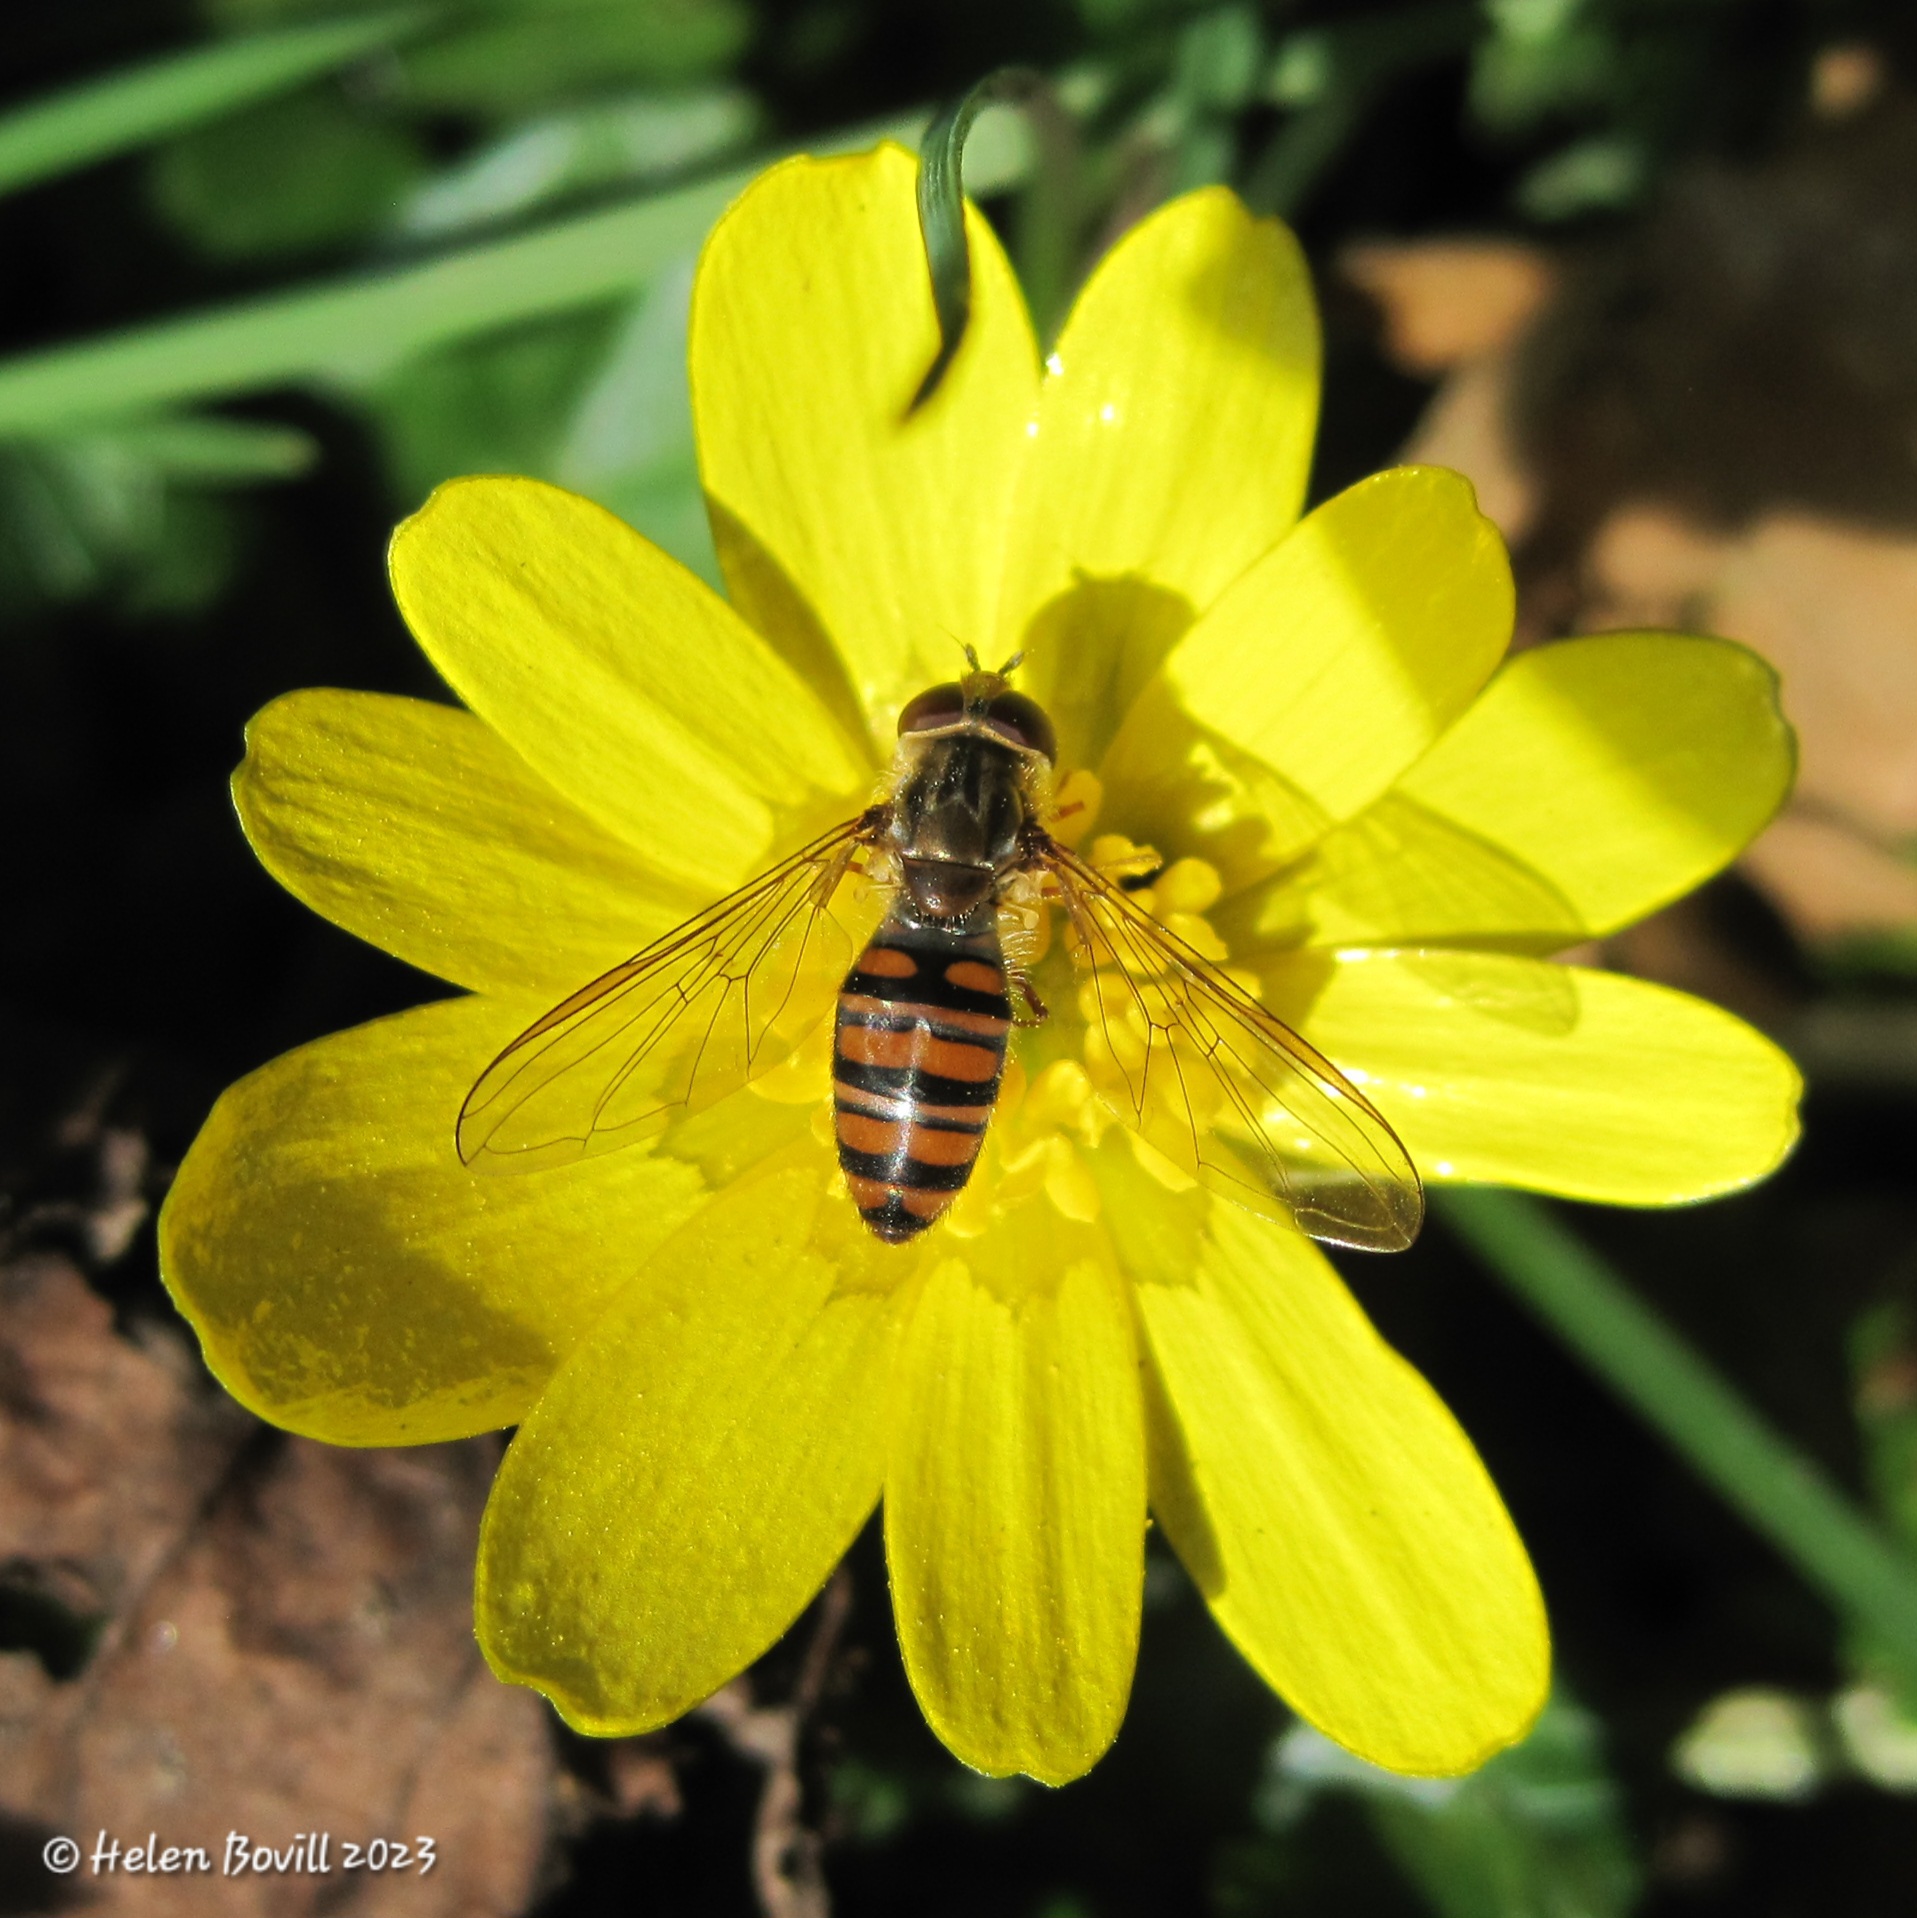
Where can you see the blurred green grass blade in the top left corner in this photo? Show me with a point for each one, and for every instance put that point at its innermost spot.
(141, 105)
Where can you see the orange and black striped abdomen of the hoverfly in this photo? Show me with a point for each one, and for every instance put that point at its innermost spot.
(916, 1065)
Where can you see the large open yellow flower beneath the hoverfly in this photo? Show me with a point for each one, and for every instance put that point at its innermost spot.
(715, 1368)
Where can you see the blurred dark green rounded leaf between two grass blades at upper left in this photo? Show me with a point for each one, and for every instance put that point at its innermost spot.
(287, 177)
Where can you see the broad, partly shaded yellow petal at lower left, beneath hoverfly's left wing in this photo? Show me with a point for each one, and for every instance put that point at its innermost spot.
(352, 1280)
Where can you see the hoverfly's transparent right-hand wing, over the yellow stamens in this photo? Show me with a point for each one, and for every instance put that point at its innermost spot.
(1219, 1087)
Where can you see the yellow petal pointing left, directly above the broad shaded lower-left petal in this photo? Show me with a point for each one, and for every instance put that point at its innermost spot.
(415, 828)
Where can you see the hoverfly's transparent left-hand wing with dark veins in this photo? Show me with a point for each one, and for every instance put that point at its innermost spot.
(674, 1029)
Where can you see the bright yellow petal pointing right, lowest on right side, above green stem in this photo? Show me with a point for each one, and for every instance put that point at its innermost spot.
(1559, 1079)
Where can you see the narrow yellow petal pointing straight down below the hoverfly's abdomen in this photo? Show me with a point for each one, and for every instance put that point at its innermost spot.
(1016, 1497)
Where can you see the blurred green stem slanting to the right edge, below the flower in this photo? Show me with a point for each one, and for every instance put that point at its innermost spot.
(1761, 1474)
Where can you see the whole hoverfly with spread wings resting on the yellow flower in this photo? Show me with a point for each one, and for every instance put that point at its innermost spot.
(1189, 1060)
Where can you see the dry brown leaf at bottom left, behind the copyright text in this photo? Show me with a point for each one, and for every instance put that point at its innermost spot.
(287, 1641)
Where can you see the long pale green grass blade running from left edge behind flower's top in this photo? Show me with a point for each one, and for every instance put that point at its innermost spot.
(350, 331)
